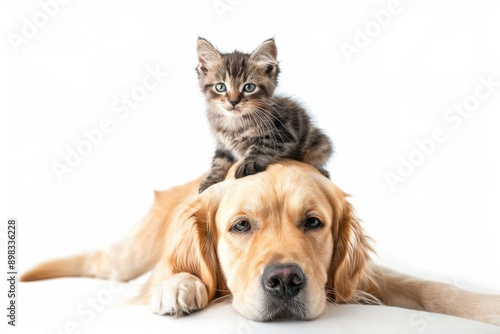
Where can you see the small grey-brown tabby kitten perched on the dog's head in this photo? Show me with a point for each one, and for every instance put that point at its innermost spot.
(249, 122)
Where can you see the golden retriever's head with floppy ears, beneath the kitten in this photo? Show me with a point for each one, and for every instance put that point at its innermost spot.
(282, 242)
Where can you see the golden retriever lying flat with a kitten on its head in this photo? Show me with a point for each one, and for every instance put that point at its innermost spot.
(282, 243)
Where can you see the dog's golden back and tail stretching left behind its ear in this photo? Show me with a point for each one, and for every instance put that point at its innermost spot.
(137, 253)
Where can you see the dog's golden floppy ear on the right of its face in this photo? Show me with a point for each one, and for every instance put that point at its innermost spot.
(351, 249)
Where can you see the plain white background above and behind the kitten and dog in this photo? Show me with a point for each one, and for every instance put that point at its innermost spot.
(442, 222)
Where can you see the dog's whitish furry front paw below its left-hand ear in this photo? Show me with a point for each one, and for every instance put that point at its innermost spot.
(179, 294)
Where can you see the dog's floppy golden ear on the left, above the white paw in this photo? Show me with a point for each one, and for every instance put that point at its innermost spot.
(194, 249)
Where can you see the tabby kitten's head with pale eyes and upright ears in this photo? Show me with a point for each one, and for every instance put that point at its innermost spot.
(237, 83)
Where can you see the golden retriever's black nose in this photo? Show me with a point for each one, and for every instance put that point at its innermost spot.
(283, 280)
